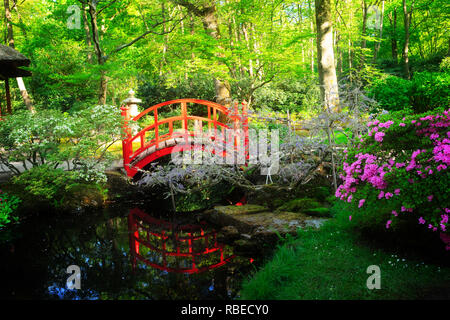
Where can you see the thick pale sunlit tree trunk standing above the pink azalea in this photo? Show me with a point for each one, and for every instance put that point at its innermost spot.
(325, 55)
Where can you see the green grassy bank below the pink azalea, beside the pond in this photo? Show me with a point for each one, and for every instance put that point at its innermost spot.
(331, 263)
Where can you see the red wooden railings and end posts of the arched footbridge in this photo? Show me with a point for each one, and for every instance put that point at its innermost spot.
(155, 136)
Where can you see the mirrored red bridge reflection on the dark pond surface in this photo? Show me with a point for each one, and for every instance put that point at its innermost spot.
(174, 248)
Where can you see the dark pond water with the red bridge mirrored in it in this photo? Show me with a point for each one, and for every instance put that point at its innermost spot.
(123, 253)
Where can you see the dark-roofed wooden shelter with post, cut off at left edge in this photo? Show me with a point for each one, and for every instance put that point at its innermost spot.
(10, 62)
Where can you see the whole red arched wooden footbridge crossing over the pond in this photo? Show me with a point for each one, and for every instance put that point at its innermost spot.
(166, 126)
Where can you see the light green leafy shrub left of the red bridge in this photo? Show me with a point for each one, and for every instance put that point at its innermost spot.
(79, 140)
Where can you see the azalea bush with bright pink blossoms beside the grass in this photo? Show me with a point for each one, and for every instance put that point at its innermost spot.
(400, 172)
